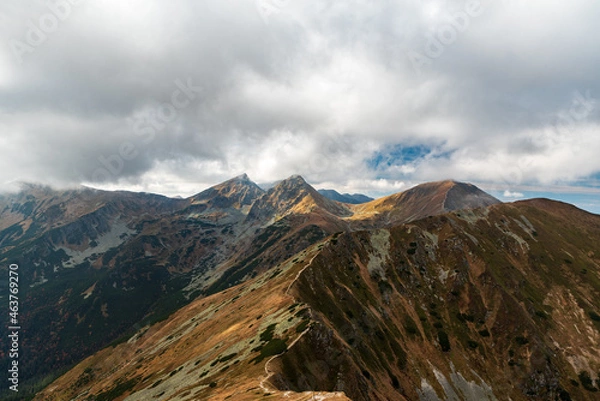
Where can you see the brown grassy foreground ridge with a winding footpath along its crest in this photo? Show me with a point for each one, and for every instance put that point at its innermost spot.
(495, 303)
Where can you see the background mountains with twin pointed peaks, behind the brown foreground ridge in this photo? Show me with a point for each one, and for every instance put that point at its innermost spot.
(96, 265)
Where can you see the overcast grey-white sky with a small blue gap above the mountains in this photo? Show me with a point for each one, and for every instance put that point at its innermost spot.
(358, 95)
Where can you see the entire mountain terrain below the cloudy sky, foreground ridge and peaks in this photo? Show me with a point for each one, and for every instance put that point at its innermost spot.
(438, 292)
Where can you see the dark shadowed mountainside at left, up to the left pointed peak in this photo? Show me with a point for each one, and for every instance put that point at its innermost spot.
(94, 264)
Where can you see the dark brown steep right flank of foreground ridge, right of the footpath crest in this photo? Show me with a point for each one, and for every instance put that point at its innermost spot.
(501, 302)
